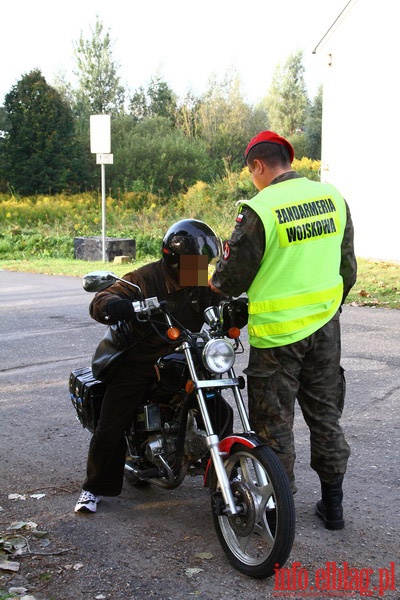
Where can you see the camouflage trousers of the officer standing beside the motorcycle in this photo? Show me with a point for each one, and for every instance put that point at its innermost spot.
(310, 371)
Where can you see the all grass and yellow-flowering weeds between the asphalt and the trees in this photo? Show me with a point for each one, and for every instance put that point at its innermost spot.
(37, 233)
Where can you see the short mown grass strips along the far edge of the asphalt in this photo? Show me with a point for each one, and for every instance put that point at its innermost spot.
(378, 282)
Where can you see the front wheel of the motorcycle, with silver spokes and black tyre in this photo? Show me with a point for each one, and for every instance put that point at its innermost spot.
(258, 540)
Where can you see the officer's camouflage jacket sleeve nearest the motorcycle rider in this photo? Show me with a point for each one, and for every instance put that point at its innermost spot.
(242, 255)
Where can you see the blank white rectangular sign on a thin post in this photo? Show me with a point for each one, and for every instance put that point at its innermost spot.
(100, 144)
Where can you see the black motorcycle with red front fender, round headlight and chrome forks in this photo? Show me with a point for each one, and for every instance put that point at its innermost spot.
(185, 428)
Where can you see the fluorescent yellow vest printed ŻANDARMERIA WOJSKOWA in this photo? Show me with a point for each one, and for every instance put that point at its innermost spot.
(298, 287)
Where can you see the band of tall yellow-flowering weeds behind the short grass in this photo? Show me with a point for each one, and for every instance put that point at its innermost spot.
(45, 226)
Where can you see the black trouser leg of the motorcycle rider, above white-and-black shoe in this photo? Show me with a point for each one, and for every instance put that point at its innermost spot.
(107, 450)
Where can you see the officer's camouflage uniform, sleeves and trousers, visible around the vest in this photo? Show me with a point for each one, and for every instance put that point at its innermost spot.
(308, 370)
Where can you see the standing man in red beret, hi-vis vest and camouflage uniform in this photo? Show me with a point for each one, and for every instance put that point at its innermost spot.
(292, 252)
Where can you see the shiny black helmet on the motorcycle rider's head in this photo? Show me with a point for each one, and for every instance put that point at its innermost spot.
(190, 236)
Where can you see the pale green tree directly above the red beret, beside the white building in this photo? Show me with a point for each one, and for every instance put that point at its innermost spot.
(287, 101)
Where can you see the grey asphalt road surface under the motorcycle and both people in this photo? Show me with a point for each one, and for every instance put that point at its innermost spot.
(144, 543)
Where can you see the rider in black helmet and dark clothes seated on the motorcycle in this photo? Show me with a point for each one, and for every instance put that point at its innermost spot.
(180, 279)
